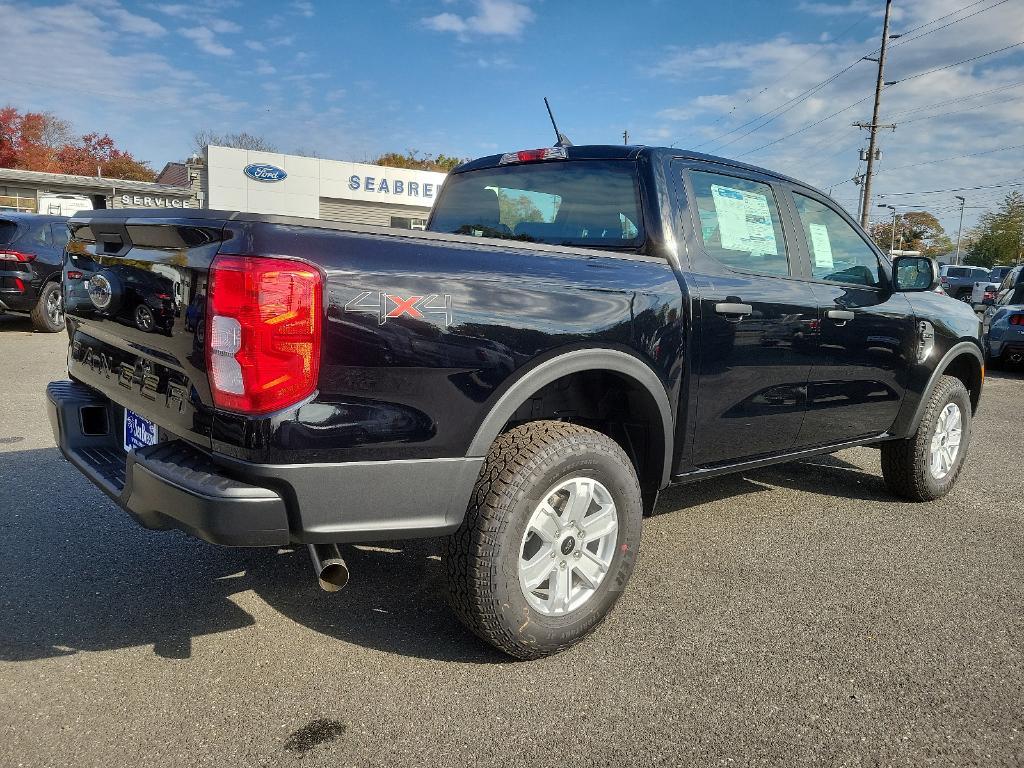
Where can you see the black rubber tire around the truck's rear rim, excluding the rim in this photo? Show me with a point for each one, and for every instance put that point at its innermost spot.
(483, 558)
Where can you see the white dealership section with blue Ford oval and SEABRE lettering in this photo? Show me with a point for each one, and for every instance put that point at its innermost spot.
(232, 180)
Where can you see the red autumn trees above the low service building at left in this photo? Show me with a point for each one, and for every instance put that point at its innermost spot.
(42, 142)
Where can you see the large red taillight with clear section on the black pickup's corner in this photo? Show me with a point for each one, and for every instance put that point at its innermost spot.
(264, 332)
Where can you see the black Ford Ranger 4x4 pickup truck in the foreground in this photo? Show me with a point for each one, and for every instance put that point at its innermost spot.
(579, 328)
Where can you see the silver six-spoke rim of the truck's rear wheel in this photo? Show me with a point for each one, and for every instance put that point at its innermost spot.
(569, 545)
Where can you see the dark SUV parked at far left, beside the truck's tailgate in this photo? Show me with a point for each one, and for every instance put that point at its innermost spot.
(31, 254)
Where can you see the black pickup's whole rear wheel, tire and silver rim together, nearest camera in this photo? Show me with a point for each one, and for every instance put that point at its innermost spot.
(549, 540)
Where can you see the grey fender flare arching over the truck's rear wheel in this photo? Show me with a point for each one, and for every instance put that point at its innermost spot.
(571, 363)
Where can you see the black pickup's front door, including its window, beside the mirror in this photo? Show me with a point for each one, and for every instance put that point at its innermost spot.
(869, 333)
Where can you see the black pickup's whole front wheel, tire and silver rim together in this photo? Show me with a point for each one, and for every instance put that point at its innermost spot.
(926, 465)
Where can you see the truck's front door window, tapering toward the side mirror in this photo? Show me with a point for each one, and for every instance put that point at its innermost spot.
(839, 254)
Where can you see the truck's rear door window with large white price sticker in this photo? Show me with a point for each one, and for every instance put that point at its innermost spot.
(740, 224)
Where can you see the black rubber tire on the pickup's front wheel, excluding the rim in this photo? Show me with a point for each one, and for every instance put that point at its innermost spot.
(907, 464)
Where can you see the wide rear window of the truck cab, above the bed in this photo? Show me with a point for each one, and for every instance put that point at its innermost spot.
(593, 204)
